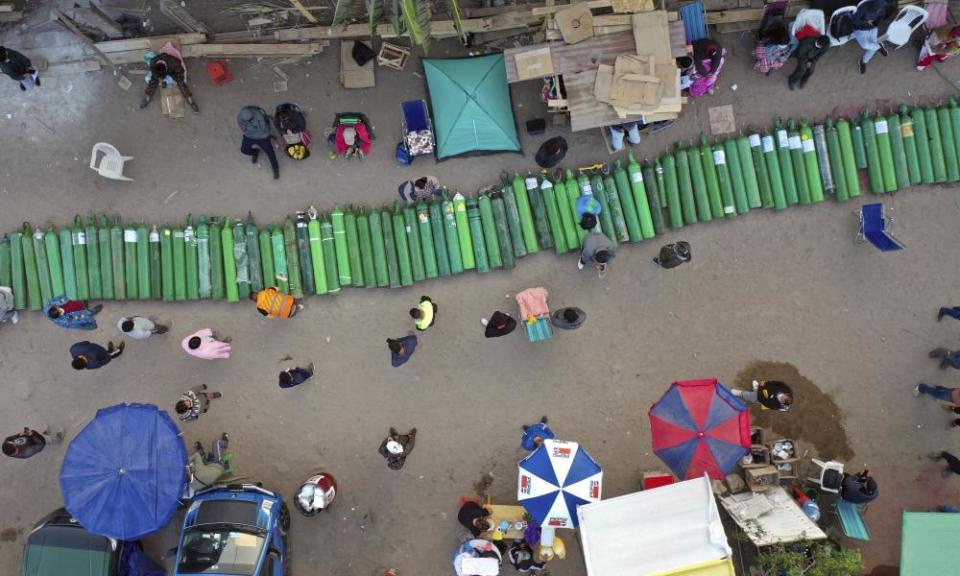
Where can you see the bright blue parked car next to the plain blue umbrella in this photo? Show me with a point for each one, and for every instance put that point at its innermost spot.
(236, 529)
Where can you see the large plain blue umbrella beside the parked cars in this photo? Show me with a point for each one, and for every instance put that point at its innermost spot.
(124, 472)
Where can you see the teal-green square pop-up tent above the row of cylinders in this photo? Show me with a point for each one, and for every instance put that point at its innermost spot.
(472, 111)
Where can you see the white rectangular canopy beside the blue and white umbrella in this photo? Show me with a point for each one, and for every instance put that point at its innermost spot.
(653, 531)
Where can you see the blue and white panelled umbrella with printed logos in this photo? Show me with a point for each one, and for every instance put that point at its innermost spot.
(556, 478)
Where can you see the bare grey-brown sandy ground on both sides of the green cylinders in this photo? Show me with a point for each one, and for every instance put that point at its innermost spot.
(789, 287)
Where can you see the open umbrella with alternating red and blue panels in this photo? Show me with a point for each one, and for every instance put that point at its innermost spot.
(700, 426)
